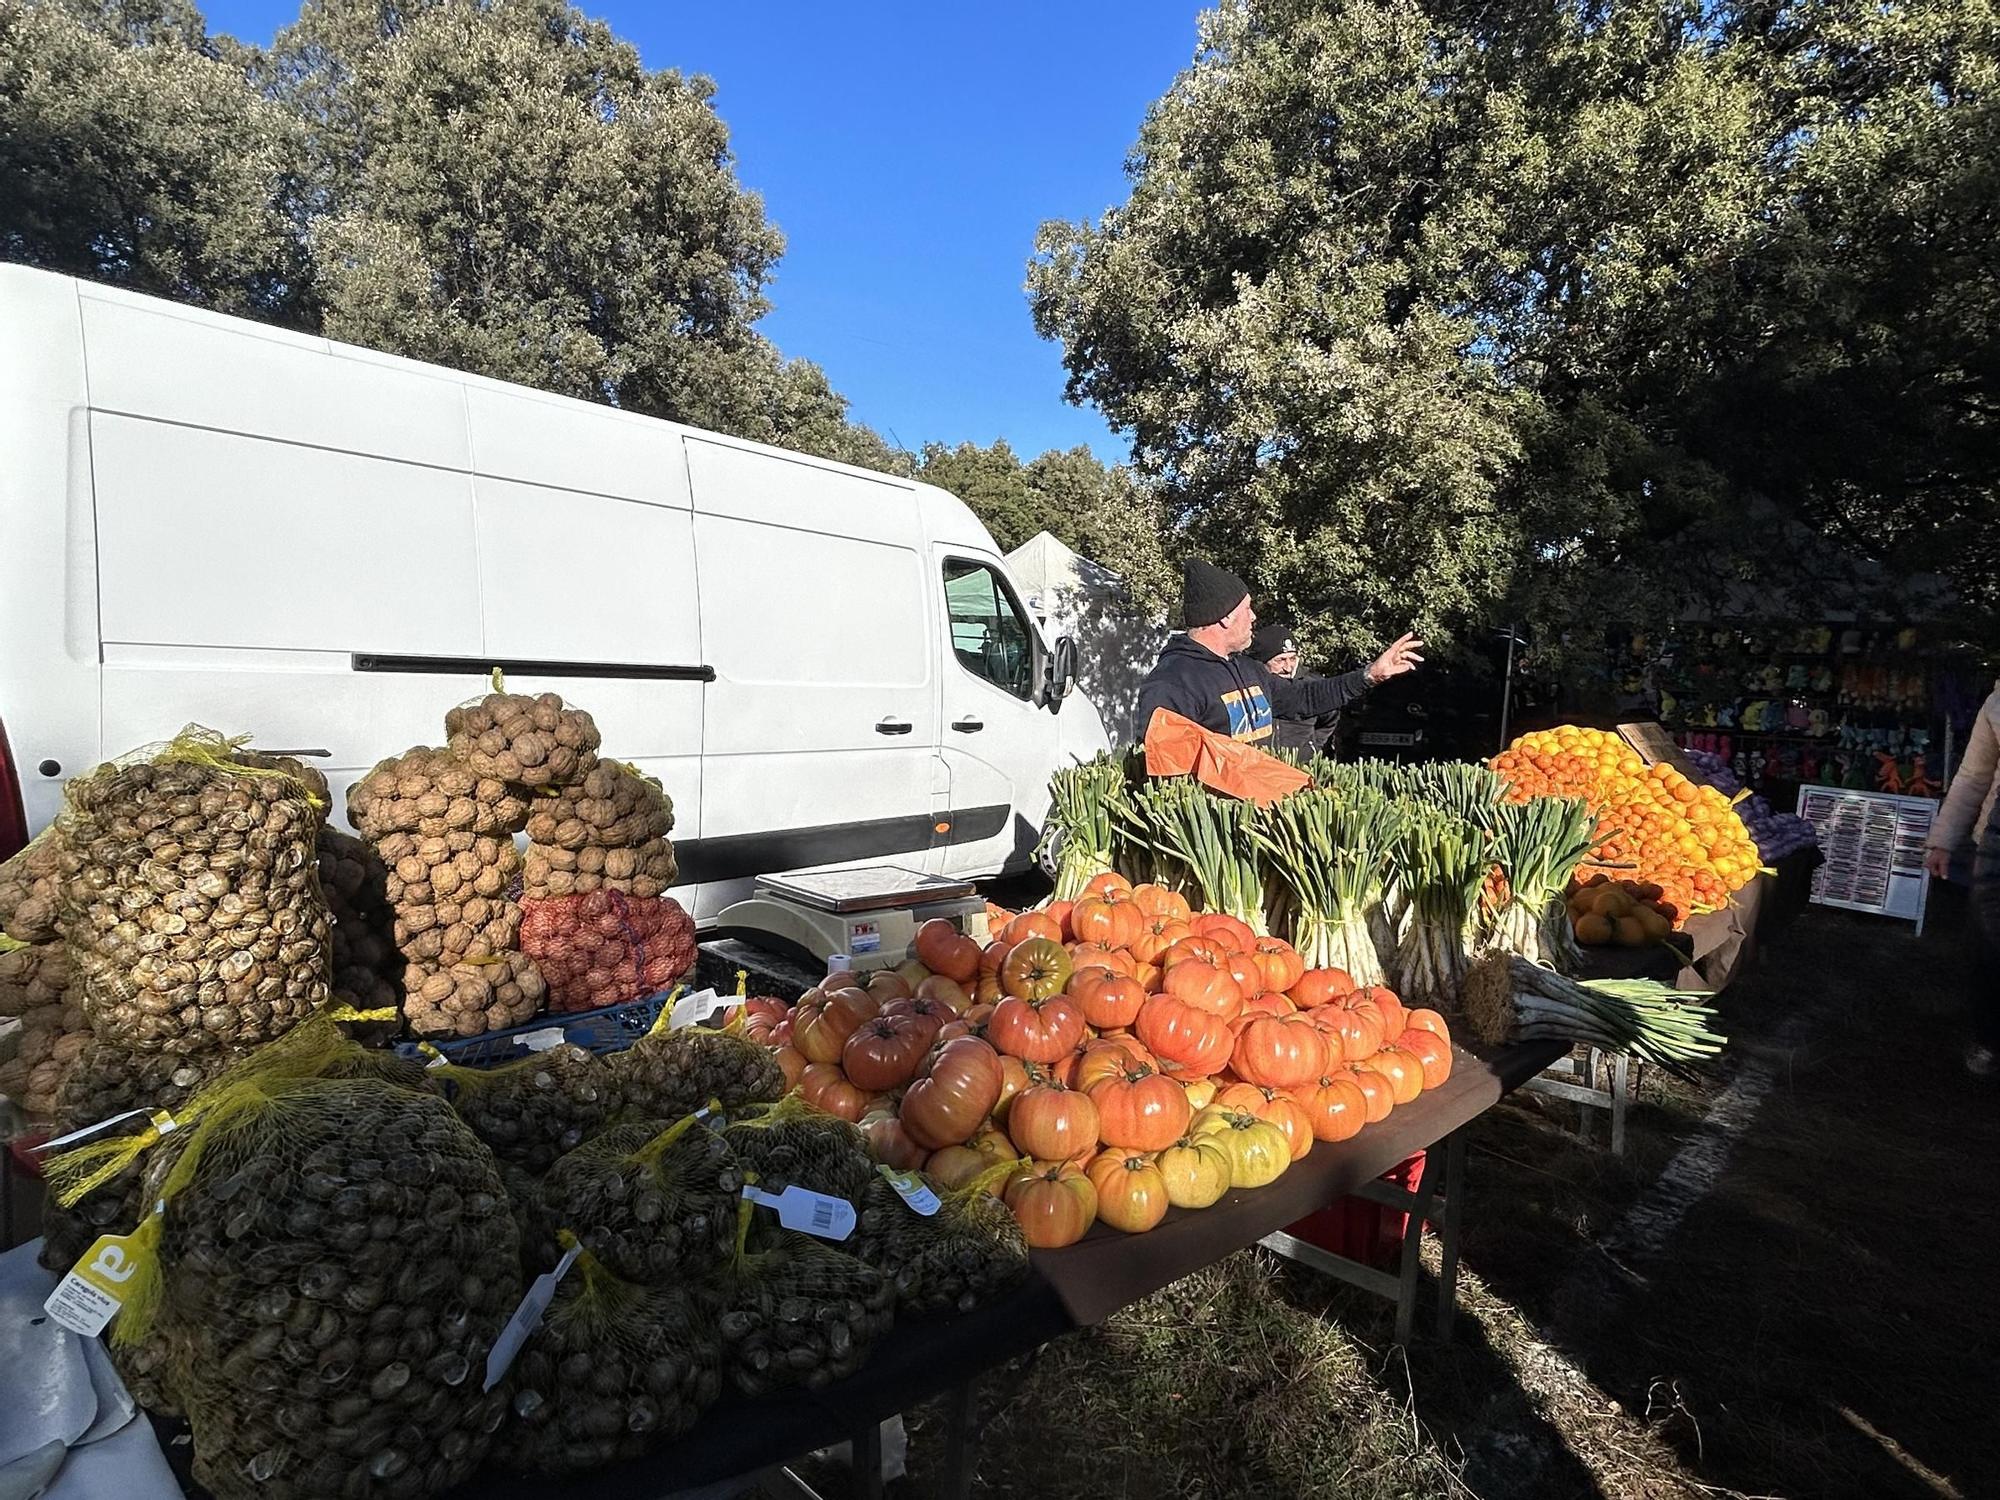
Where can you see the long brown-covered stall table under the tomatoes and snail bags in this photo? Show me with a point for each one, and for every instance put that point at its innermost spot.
(1067, 1289)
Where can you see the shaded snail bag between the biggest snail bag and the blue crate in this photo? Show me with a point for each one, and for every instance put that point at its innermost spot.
(539, 1109)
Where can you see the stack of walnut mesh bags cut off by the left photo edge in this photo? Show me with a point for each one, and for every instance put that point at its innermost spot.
(35, 979)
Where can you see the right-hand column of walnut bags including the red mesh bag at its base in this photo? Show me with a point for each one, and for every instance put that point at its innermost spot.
(599, 865)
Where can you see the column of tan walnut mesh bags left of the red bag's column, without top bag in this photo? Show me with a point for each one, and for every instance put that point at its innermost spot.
(445, 835)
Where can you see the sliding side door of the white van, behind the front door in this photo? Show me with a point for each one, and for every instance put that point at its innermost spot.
(821, 727)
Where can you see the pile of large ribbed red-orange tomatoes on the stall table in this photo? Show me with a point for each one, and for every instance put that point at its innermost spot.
(1105, 1061)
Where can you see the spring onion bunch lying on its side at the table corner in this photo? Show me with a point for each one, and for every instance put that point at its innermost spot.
(1511, 999)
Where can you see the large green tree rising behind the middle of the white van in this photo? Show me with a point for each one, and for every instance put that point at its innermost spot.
(505, 189)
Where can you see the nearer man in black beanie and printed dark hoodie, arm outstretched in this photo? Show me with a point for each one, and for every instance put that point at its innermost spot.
(1203, 677)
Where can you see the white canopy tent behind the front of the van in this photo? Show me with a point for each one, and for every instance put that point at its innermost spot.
(1117, 645)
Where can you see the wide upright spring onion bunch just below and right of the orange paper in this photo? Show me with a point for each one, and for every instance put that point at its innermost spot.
(1329, 851)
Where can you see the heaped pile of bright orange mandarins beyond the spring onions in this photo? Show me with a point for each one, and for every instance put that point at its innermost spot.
(1653, 823)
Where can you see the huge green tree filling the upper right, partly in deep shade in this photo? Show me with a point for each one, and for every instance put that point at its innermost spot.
(1463, 313)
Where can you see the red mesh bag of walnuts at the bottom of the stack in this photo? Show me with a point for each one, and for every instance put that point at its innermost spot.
(607, 949)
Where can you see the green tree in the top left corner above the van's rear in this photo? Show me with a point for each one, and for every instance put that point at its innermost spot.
(133, 151)
